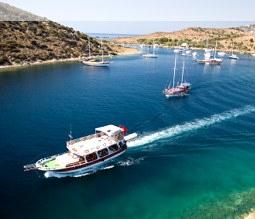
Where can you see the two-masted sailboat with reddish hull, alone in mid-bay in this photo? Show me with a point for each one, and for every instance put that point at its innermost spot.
(180, 90)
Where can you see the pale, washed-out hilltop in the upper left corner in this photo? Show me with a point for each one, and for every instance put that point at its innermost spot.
(11, 13)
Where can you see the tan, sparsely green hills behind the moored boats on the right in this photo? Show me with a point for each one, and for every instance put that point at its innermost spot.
(242, 40)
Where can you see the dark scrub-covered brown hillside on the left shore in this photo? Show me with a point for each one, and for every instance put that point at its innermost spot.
(24, 42)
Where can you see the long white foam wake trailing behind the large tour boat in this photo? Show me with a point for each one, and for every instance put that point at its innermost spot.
(191, 126)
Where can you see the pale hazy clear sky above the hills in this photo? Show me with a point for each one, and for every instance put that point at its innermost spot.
(140, 16)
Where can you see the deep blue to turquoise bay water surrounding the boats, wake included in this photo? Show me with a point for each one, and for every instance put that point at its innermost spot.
(194, 157)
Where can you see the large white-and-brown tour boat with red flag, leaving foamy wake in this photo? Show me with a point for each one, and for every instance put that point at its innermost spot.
(85, 153)
